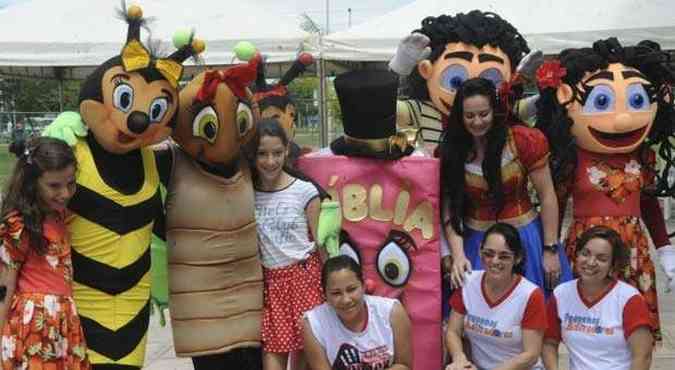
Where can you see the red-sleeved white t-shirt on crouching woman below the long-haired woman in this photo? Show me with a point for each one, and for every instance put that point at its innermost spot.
(494, 329)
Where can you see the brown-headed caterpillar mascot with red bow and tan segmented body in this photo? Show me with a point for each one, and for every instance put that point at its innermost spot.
(215, 277)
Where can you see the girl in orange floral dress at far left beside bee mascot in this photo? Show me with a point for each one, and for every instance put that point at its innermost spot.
(40, 326)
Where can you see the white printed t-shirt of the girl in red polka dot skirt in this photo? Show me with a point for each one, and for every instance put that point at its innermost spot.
(283, 230)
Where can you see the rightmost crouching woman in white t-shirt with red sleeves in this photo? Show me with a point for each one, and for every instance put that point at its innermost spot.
(603, 322)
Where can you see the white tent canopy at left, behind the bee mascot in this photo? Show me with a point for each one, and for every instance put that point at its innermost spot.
(68, 38)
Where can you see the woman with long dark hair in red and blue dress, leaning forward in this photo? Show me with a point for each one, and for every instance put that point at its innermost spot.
(486, 165)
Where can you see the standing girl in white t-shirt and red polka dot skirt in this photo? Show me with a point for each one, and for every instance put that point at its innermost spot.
(286, 210)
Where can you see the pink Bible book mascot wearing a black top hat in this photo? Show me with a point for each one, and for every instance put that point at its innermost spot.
(389, 203)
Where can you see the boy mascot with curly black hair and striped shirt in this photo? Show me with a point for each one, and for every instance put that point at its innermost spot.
(446, 51)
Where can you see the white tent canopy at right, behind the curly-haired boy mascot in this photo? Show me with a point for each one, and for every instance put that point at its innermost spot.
(549, 25)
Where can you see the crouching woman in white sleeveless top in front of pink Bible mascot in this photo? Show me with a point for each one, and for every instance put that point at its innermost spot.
(353, 330)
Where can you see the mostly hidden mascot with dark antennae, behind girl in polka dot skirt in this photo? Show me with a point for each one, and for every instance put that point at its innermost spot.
(275, 101)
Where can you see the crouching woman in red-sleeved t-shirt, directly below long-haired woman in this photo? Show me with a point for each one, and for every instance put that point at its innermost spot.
(499, 312)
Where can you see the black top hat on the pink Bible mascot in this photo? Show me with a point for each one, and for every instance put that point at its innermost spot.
(368, 104)
